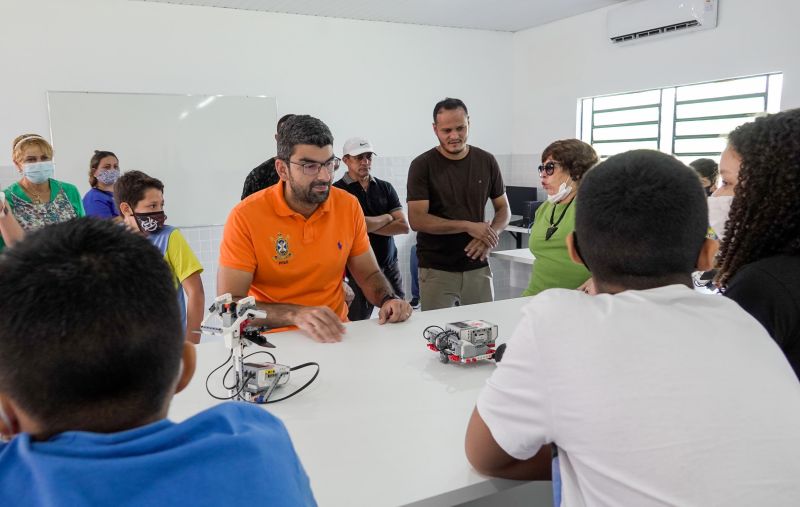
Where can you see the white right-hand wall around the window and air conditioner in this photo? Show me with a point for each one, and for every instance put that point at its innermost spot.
(557, 63)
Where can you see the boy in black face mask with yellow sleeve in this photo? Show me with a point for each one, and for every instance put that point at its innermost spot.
(140, 200)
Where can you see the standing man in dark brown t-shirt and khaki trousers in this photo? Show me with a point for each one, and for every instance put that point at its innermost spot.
(448, 187)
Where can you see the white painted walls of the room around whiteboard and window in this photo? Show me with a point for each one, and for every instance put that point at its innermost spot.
(378, 80)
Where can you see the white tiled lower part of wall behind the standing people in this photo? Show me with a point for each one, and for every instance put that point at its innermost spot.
(517, 170)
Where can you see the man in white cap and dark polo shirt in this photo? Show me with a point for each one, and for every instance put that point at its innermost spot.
(383, 213)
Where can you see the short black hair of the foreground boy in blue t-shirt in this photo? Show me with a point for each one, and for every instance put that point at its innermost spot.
(91, 333)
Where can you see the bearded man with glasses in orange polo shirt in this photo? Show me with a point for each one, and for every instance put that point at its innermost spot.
(288, 245)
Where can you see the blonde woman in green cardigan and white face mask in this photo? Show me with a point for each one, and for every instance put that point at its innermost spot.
(37, 199)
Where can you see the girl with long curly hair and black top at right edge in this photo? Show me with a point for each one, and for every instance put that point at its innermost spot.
(759, 258)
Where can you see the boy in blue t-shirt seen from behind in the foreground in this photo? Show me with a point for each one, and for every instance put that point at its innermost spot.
(91, 353)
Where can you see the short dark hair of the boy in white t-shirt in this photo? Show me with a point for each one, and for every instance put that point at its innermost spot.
(641, 218)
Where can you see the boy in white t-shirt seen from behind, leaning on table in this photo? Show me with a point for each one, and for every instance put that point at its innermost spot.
(653, 394)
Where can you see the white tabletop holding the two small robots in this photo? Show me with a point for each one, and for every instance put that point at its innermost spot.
(384, 422)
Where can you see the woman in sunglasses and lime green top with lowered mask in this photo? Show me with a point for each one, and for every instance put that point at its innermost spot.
(564, 163)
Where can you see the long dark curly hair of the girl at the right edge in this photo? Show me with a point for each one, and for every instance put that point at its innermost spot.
(764, 219)
